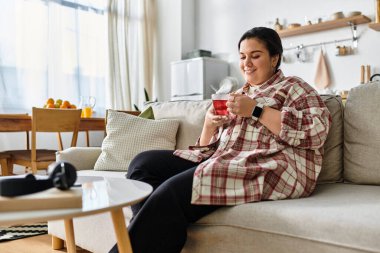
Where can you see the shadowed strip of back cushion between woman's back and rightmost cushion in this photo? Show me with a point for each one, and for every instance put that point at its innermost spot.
(332, 166)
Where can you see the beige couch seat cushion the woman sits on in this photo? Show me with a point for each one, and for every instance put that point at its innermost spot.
(338, 214)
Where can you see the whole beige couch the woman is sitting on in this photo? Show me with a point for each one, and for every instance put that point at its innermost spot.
(342, 215)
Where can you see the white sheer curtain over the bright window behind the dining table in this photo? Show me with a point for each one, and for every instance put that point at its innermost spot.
(52, 48)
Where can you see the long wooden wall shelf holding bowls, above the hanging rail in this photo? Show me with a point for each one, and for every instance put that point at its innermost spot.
(327, 25)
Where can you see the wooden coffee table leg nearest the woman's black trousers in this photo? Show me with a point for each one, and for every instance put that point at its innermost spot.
(122, 237)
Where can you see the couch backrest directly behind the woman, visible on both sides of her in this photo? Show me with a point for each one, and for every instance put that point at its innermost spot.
(191, 115)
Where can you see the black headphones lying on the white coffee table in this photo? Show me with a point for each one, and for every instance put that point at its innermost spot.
(62, 175)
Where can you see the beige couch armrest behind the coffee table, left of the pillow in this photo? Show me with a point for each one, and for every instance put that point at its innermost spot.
(83, 158)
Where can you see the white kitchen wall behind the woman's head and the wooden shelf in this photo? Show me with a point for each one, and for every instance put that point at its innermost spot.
(220, 23)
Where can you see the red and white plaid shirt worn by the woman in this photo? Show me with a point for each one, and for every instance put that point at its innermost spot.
(245, 162)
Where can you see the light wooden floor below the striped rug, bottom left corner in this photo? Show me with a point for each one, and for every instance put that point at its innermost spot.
(35, 244)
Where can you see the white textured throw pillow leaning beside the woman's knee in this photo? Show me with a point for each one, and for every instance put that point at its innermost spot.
(129, 135)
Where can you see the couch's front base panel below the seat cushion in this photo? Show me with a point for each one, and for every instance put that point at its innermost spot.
(253, 241)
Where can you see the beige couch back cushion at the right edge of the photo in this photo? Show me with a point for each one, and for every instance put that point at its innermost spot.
(362, 135)
